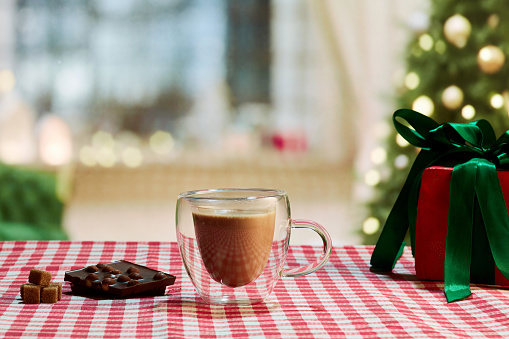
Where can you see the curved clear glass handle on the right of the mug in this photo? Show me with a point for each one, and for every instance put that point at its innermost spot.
(327, 248)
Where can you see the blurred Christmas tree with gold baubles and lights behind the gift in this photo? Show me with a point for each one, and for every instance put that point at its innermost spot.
(456, 71)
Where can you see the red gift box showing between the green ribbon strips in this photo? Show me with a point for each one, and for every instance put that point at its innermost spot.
(432, 219)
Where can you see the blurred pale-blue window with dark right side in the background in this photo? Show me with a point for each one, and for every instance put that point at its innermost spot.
(137, 63)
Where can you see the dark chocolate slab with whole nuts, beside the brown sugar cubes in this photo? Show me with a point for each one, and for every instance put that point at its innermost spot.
(119, 279)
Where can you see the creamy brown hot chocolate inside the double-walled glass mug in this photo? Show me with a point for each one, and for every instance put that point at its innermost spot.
(235, 248)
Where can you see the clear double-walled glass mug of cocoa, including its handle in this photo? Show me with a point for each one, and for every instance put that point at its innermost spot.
(234, 242)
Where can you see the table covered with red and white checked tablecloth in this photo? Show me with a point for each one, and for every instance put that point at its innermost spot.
(343, 299)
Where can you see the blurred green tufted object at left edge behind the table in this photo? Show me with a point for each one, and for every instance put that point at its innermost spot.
(29, 206)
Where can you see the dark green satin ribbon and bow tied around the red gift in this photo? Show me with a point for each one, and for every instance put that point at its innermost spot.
(476, 205)
